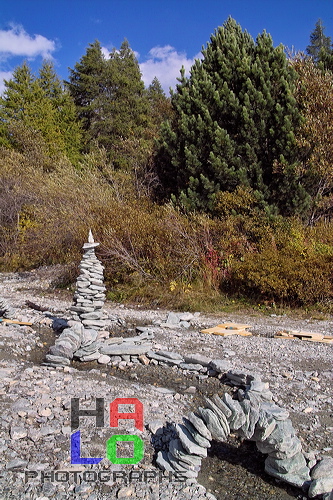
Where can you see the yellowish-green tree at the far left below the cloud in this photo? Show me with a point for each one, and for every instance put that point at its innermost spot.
(41, 105)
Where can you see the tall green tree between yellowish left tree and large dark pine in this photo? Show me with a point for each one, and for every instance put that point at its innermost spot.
(110, 97)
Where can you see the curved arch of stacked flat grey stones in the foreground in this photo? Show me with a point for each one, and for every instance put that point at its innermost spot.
(253, 416)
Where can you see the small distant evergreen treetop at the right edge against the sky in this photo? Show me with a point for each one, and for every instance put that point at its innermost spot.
(320, 48)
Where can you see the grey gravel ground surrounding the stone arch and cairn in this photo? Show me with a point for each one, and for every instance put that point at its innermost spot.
(35, 400)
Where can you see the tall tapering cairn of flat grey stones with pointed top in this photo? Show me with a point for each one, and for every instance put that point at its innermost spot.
(89, 296)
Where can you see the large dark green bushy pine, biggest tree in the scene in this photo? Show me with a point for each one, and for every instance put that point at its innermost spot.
(234, 122)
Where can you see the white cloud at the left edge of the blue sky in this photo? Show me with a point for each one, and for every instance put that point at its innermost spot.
(17, 42)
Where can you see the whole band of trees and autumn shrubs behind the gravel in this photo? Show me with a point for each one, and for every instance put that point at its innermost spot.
(220, 194)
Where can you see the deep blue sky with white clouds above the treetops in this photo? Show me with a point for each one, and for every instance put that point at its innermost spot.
(165, 34)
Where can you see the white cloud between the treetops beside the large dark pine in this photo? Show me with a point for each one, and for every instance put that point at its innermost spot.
(165, 63)
